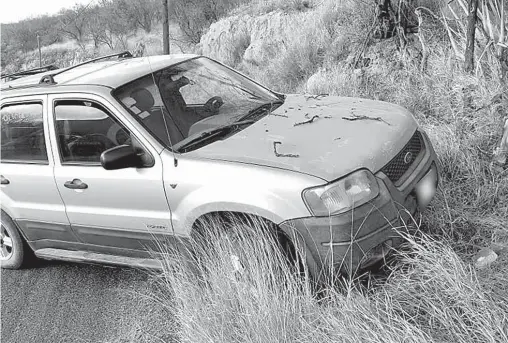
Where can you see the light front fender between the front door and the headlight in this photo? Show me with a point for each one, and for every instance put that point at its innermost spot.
(196, 187)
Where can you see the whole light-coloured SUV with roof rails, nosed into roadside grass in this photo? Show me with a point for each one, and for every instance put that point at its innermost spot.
(101, 159)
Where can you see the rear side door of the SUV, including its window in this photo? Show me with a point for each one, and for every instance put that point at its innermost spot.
(28, 191)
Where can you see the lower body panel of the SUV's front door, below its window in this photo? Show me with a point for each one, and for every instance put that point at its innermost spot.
(128, 203)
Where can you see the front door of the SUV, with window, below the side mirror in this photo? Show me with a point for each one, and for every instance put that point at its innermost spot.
(125, 208)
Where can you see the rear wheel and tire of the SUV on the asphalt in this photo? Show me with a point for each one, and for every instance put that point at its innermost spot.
(13, 249)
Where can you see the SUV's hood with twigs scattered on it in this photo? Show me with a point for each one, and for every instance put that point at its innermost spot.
(346, 134)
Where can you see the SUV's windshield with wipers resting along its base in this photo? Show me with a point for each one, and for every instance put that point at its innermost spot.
(194, 101)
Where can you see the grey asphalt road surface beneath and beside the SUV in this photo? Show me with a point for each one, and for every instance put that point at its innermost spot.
(64, 302)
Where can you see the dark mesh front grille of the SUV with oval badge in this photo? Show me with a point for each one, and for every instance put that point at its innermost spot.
(401, 163)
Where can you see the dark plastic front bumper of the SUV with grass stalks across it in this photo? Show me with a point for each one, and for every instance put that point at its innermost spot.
(351, 241)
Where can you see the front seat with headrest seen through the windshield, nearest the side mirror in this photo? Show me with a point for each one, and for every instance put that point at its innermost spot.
(156, 118)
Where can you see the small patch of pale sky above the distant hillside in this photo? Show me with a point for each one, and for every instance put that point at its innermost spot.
(15, 10)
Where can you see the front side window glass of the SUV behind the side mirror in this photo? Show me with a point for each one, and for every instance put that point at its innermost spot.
(85, 129)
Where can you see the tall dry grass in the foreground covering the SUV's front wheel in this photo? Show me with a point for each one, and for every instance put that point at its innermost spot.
(430, 295)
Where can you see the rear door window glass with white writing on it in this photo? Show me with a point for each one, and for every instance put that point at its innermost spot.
(23, 133)
